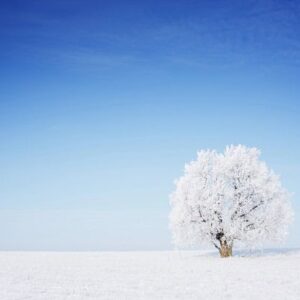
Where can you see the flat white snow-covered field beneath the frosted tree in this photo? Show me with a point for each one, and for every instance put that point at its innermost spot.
(148, 275)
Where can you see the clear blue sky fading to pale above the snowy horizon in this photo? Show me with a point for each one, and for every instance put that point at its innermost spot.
(102, 103)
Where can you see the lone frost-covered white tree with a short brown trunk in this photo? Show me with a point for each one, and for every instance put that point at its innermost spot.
(229, 197)
